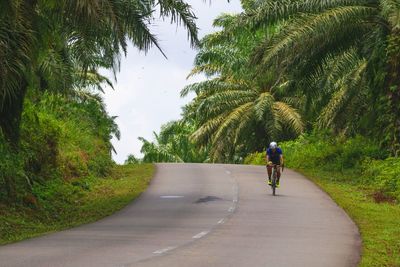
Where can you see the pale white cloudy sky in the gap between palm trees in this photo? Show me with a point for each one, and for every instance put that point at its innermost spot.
(147, 90)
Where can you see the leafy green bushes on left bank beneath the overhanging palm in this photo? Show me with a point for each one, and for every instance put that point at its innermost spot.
(63, 138)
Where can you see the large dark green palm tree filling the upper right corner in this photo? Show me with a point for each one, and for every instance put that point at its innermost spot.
(343, 56)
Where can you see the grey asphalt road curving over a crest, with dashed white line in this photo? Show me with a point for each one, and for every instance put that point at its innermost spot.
(206, 215)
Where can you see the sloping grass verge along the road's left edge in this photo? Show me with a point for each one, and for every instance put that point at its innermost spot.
(63, 205)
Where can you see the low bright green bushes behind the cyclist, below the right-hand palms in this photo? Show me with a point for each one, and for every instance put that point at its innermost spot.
(359, 160)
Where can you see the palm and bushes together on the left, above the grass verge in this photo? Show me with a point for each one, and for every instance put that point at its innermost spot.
(53, 124)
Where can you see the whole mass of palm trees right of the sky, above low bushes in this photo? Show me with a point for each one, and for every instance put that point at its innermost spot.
(283, 68)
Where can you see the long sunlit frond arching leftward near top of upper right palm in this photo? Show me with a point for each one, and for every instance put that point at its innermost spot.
(315, 30)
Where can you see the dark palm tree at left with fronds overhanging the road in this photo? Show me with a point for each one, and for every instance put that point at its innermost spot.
(40, 41)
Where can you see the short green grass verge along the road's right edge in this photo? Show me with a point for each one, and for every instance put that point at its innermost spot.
(379, 223)
